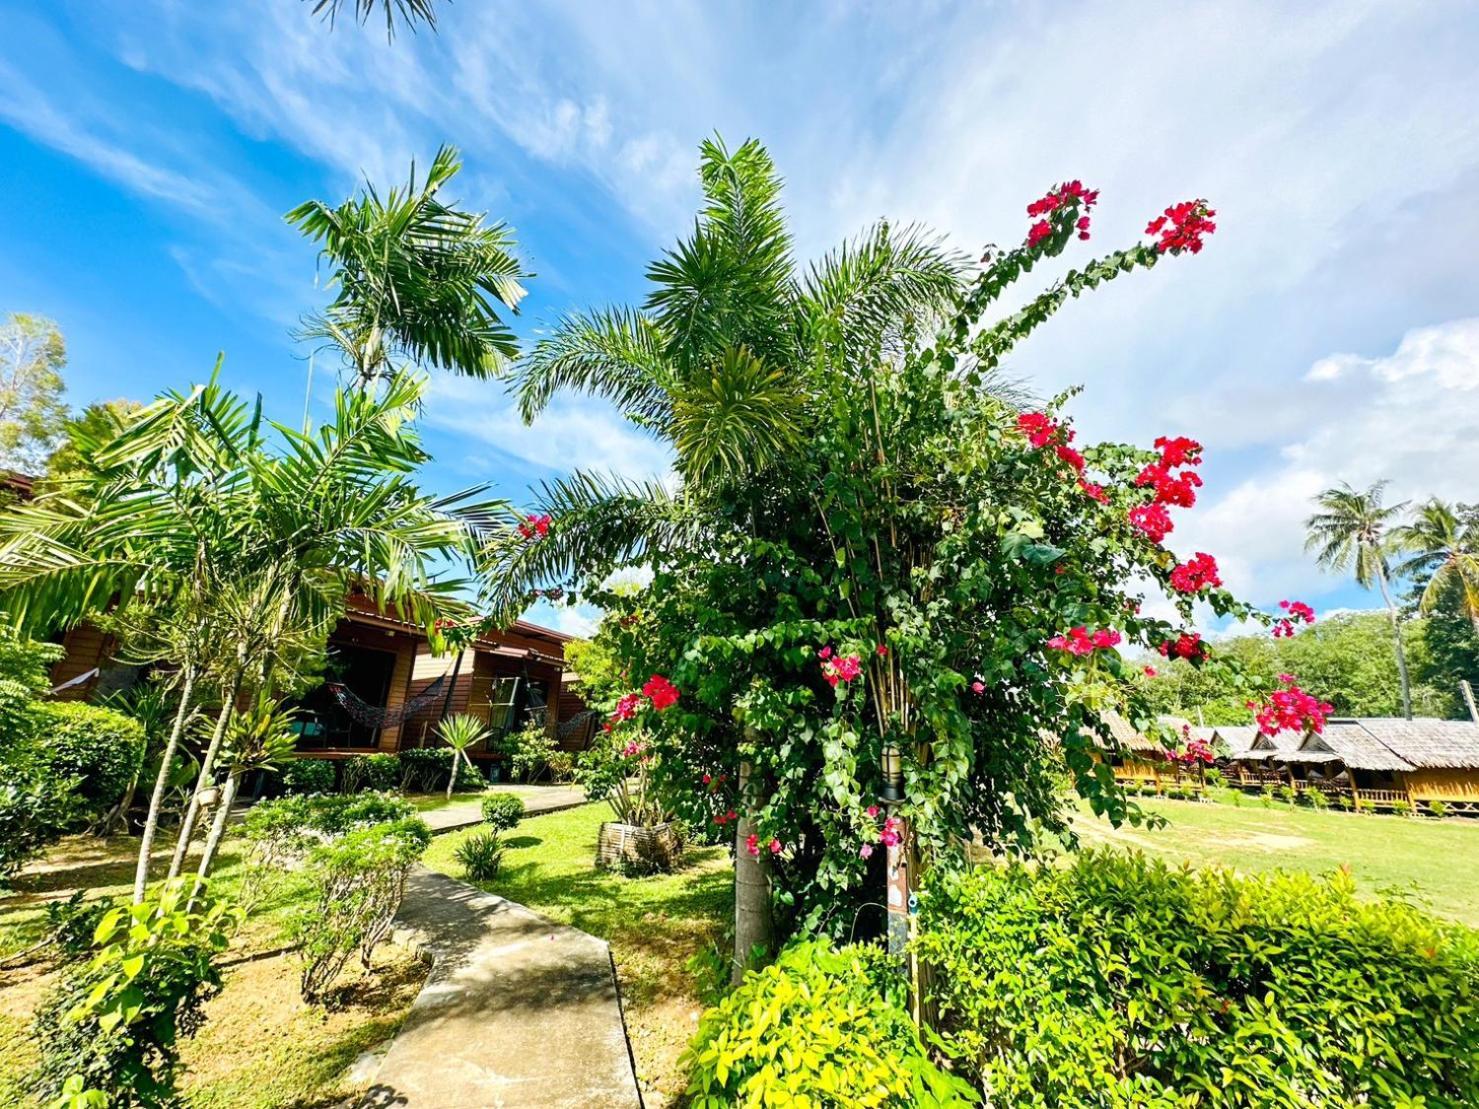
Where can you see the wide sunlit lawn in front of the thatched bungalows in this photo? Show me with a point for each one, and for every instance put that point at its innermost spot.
(1434, 861)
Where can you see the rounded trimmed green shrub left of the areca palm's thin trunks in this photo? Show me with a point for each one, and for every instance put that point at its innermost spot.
(97, 746)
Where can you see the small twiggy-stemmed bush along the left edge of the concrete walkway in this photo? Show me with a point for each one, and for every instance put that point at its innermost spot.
(359, 881)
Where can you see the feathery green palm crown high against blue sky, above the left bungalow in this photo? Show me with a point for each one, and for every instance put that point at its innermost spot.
(415, 279)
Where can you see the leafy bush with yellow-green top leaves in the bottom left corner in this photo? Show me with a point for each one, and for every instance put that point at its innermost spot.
(118, 1018)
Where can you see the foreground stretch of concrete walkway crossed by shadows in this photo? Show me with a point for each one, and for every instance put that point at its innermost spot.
(517, 1012)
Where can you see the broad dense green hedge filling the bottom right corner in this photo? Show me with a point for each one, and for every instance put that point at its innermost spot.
(1125, 983)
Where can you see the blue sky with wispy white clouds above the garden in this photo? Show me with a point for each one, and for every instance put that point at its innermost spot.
(1329, 332)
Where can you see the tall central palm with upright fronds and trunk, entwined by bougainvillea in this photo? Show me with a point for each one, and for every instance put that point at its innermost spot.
(721, 363)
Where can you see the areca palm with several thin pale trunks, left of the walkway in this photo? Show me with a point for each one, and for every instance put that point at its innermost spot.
(240, 546)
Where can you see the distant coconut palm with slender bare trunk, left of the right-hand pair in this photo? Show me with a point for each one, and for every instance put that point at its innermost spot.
(1353, 530)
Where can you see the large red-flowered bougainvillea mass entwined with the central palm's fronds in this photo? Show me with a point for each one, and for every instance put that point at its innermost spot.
(934, 566)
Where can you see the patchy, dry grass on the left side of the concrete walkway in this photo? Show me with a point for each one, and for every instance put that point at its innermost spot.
(261, 1046)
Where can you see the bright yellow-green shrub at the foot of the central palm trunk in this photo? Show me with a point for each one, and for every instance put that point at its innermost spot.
(819, 1027)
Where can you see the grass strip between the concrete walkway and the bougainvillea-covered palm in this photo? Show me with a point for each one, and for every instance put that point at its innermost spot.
(653, 923)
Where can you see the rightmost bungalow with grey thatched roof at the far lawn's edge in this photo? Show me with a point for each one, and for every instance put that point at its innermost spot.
(1390, 761)
